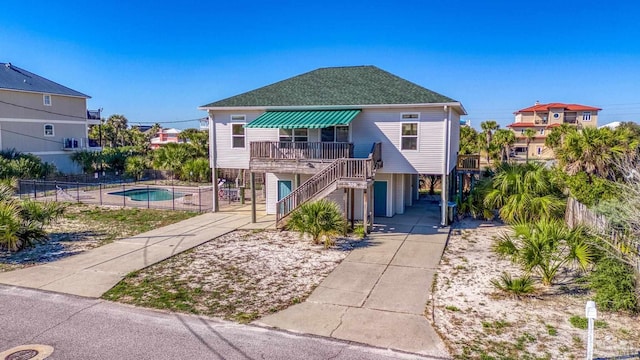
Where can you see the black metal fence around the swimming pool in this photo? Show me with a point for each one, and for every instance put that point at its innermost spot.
(138, 195)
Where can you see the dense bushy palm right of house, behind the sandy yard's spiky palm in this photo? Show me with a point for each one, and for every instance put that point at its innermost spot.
(524, 192)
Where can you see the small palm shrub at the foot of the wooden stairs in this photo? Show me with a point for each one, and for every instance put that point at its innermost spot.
(320, 219)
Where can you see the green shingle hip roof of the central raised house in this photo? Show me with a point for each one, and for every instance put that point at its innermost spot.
(352, 85)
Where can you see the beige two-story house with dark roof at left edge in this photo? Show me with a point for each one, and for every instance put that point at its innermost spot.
(41, 117)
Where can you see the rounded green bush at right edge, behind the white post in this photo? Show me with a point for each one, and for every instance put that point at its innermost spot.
(614, 285)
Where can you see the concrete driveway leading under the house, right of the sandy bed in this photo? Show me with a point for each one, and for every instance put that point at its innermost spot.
(377, 295)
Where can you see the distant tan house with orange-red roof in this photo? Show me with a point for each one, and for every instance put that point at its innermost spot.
(543, 118)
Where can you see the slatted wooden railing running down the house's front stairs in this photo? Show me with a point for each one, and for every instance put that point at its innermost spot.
(343, 168)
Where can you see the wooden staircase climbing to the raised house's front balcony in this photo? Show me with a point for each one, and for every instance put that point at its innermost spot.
(341, 173)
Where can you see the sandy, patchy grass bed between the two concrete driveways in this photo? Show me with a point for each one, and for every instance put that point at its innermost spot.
(240, 276)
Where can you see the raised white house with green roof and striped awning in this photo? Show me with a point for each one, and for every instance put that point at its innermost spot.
(358, 135)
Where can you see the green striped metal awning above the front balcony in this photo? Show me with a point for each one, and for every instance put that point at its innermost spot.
(310, 119)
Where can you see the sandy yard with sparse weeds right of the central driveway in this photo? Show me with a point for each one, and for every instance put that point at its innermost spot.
(476, 321)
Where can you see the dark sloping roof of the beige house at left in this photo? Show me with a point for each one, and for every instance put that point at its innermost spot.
(15, 78)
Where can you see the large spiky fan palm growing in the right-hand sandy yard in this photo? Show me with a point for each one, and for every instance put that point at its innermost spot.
(546, 246)
